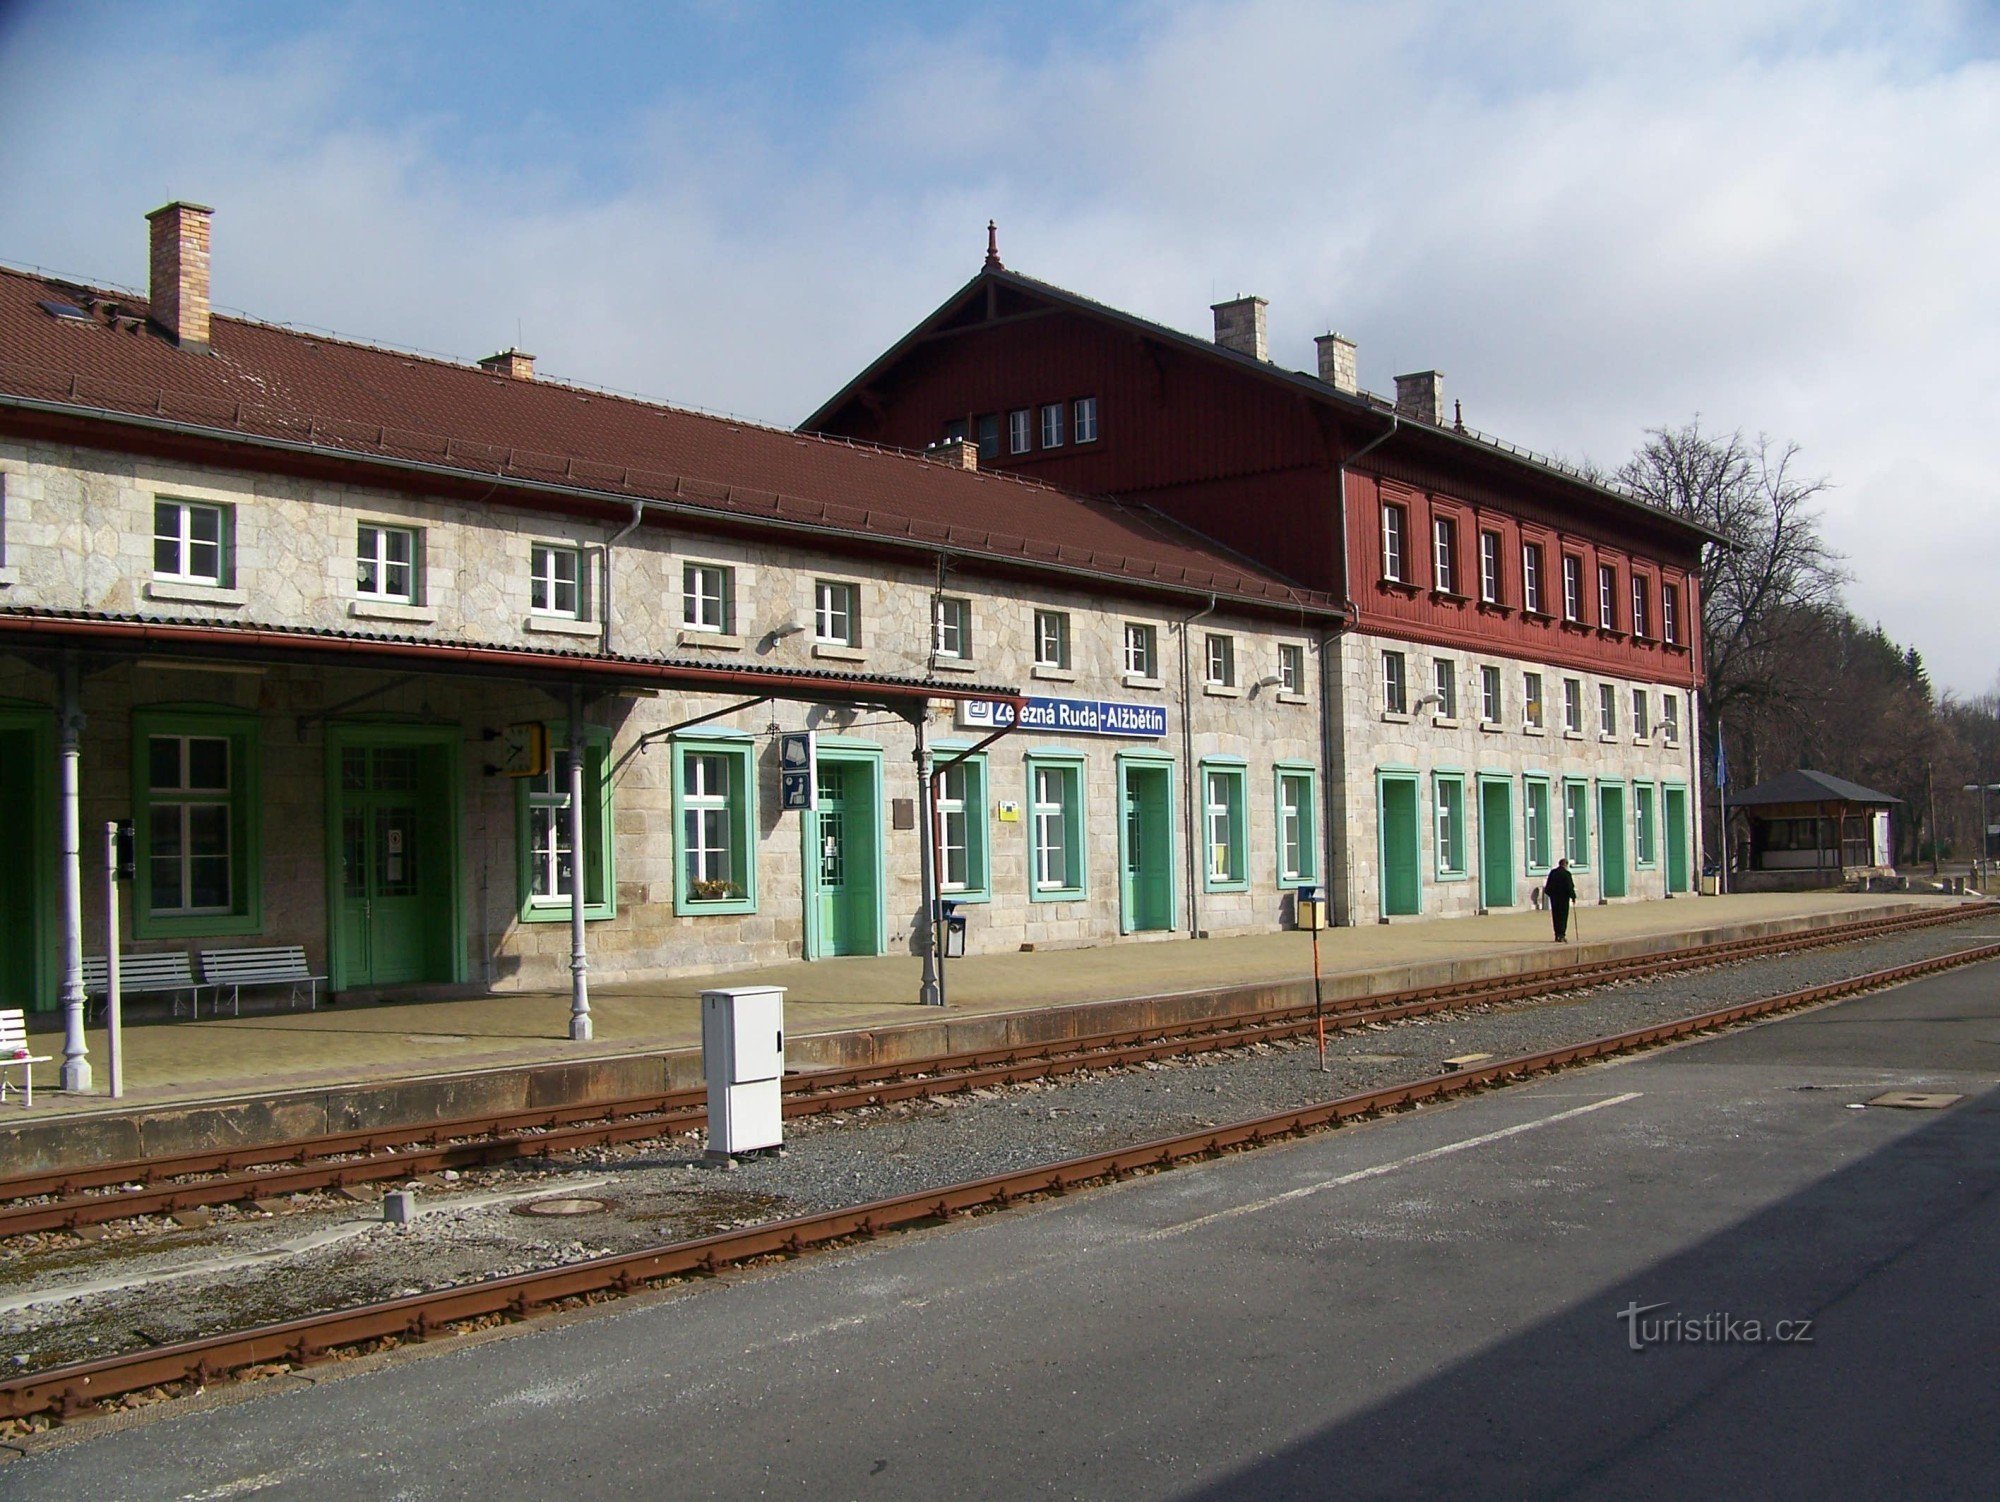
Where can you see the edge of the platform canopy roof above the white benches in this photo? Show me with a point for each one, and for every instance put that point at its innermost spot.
(771, 685)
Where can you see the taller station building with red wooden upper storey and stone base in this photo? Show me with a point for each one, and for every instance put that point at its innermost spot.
(1515, 671)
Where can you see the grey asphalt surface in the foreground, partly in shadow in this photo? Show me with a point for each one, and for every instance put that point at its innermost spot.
(1427, 1307)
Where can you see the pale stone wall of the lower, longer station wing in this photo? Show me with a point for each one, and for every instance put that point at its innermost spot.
(81, 537)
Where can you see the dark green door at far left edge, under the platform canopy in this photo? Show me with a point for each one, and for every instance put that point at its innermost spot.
(27, 873)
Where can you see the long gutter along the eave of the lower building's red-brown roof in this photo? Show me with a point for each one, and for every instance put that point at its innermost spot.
(1287, 609)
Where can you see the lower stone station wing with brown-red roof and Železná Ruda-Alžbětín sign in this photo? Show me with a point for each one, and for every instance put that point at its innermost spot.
(465, 679)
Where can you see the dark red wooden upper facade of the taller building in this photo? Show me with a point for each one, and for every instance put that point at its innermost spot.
(1091, 399)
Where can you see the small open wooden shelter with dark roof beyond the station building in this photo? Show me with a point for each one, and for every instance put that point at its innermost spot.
(1809, 829)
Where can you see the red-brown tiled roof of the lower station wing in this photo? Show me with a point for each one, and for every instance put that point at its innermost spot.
(267, 383)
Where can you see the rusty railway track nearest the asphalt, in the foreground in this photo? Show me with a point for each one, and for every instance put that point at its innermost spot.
(171, 1371)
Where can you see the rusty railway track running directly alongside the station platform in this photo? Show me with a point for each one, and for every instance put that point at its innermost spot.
(161, 1187)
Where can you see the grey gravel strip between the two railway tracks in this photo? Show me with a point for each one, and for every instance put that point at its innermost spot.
(329, 1251)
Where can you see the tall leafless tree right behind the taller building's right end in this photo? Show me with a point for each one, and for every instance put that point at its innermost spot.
(1773, 587)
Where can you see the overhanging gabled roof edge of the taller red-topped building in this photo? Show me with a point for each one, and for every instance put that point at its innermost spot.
(1363, 405)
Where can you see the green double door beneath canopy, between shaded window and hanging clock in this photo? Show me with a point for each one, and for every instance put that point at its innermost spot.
(397, 875)
